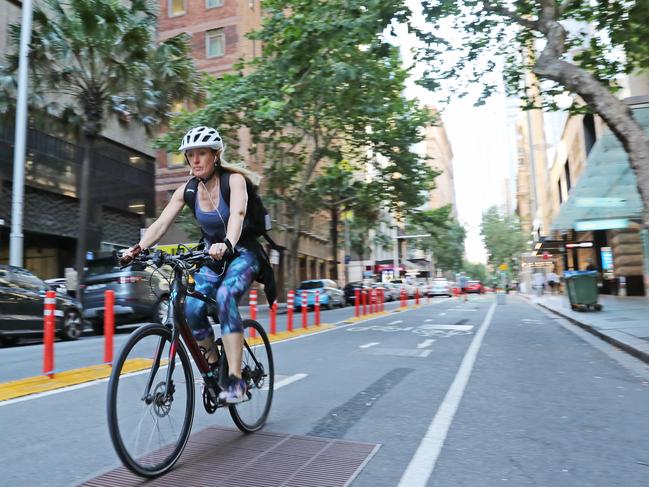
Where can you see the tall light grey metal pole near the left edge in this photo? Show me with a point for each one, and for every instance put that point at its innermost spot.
(20, 138)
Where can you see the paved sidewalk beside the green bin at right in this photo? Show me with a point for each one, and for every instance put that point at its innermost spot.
(623, 322)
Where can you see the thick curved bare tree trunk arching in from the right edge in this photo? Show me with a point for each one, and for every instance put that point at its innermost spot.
(615, 113)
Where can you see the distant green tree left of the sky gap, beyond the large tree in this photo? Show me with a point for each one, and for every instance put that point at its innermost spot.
(446, 240)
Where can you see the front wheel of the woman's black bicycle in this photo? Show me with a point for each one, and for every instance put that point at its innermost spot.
(149, 414)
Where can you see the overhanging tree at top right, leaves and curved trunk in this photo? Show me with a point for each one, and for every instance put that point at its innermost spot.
(575, 59)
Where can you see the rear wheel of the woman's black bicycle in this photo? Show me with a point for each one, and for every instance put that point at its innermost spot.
(258, 370)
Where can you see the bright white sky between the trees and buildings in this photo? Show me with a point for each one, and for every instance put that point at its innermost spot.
(483, 145)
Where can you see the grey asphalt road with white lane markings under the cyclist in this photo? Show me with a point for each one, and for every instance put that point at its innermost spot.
(461, 394)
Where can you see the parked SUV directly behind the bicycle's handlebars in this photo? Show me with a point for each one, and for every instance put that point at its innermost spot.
(140, 294)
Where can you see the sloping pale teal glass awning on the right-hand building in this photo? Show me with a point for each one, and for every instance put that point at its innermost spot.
(606, 194)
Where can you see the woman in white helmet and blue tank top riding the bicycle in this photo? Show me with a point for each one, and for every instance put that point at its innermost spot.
(221, 224)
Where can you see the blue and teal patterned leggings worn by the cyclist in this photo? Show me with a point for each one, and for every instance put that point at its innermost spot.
(227, 290)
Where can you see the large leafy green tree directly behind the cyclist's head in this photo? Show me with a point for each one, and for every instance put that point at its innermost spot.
(326, 87)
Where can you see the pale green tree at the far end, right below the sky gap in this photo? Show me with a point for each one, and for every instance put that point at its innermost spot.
(502, 237)
